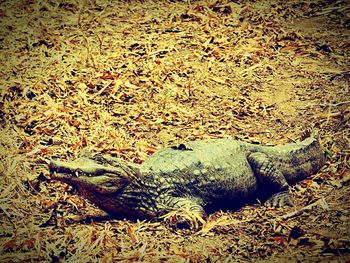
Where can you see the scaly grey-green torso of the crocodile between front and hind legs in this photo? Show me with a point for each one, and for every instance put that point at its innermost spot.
(212, 170)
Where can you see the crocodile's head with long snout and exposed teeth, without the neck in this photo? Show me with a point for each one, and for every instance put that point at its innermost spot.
(95, 175)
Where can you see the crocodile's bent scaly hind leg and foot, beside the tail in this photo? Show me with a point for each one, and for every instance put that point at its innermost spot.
(271, 177)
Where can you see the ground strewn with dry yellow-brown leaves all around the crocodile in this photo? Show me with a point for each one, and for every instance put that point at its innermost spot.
(128, 78)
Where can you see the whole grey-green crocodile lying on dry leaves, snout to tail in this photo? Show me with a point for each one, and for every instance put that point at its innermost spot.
(198, 174)
